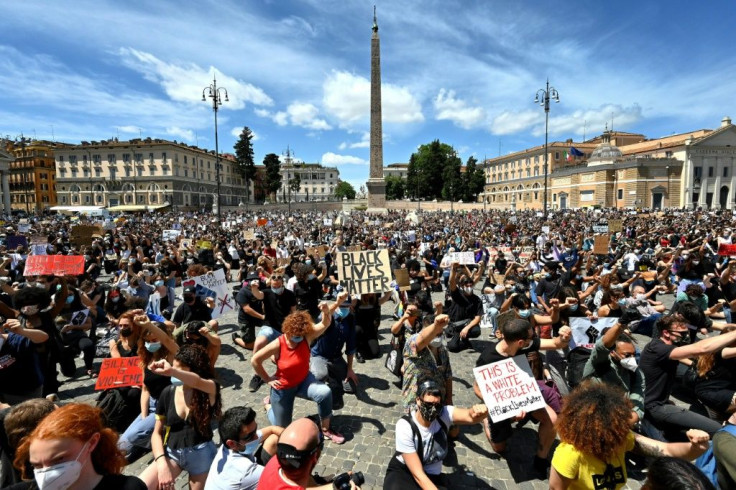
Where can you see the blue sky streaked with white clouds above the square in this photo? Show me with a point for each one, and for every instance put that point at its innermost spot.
(297, 72)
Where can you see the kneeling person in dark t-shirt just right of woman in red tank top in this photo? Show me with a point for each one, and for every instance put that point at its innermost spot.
(327, 363)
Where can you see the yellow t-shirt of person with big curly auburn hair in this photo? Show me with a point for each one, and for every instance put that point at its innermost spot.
(589, 472)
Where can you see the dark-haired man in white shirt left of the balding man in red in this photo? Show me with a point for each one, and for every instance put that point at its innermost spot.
(245, 450)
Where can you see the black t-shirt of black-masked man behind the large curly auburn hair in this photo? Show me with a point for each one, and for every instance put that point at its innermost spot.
(659, 372)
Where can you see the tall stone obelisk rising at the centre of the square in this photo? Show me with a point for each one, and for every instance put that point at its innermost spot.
(376, 183)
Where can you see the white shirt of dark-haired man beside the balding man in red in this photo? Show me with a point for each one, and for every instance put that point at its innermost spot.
(232, 471)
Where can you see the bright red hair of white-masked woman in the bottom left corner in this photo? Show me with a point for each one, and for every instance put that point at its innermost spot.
(76, 421)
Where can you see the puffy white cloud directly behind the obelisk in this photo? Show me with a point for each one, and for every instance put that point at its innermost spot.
(346, 97)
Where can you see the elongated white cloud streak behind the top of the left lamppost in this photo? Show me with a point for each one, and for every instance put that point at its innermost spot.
(185, 82)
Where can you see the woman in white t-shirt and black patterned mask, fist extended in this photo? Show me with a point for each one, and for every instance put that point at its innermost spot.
(422, 440)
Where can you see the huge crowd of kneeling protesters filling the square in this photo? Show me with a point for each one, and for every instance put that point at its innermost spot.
(530, 279)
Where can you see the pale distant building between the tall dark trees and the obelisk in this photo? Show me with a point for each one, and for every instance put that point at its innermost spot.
(316, 183)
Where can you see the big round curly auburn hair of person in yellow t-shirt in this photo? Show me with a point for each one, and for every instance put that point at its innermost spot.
(595, 419)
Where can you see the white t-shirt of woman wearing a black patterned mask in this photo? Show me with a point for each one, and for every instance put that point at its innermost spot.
(434, 440)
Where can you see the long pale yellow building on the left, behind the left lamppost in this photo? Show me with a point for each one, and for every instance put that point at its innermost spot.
(145, 172)
